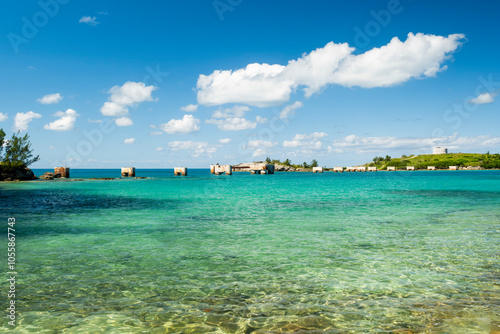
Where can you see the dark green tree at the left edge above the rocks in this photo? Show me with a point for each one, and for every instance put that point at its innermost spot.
(18, 152)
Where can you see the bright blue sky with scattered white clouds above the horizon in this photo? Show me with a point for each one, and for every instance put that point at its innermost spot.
(102, 84)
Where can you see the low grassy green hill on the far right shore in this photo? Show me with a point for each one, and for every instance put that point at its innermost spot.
(441, 161)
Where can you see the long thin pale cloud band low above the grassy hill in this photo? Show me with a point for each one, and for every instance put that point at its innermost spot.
(382, 144)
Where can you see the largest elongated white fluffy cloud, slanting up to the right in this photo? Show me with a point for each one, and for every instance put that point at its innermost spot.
(265, 85)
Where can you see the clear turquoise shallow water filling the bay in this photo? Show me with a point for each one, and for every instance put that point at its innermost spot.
(291, 252)
